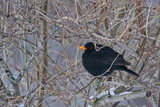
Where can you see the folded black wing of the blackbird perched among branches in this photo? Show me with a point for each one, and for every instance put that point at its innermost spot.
(107, 56)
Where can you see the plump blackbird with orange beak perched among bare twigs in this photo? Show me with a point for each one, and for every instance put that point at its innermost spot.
(101, 60)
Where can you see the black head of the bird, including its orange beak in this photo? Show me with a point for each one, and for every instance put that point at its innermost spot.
(89, 47)
